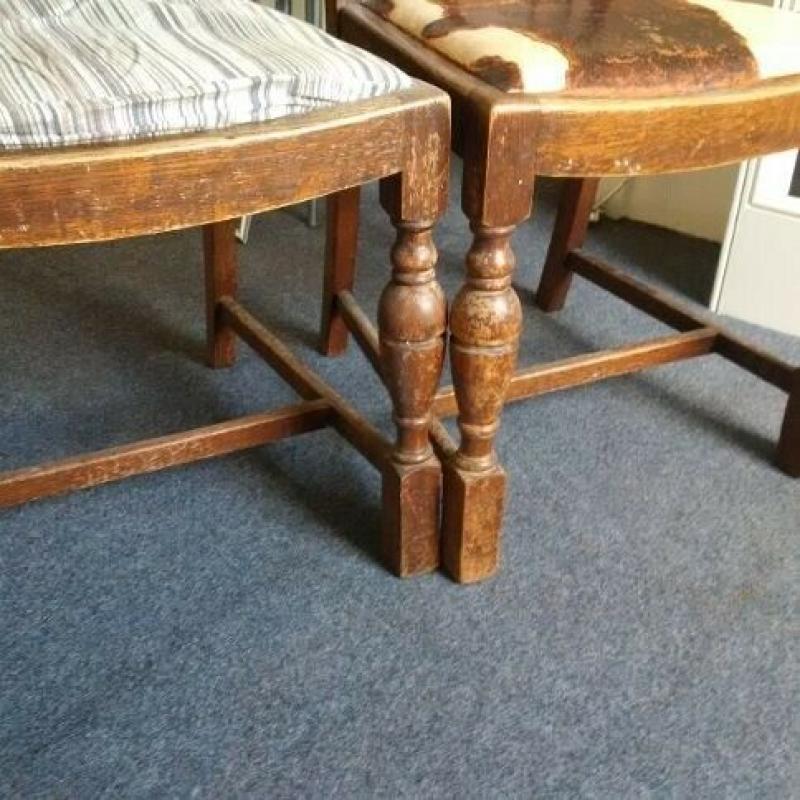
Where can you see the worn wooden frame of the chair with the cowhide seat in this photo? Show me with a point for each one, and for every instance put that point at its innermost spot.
(507, 139)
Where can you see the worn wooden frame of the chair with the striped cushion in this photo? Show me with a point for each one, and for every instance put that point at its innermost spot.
(105, 191)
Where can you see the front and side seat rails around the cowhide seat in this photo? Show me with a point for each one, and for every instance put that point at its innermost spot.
(602, 136)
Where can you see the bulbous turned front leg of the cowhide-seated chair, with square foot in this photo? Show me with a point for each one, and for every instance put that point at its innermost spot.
(485, 325)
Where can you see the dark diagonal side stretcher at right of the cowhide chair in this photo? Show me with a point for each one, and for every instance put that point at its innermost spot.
(663, 307)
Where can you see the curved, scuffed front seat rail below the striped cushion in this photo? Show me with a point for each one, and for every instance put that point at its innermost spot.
(91, 194)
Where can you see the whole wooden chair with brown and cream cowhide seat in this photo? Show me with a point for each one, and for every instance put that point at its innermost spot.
(576, 90)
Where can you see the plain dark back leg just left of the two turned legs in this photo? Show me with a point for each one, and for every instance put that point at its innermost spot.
(340, 266)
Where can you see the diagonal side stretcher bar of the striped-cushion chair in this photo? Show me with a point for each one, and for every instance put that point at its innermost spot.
(347, 421)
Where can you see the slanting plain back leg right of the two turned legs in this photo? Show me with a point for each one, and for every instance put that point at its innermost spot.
(572, 223)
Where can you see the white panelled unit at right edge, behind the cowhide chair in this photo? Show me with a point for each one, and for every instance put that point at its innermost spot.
(759, 276)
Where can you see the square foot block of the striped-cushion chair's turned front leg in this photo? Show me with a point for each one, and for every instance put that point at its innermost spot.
(410, 531)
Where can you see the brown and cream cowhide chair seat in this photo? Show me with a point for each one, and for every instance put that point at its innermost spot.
(605, 47)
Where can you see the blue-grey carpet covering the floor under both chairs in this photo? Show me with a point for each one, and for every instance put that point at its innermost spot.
(224, 630)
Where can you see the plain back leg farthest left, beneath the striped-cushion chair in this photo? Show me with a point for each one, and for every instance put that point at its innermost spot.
(221, 266)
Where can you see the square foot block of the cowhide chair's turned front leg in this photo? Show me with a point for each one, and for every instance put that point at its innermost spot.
(473, 518)
